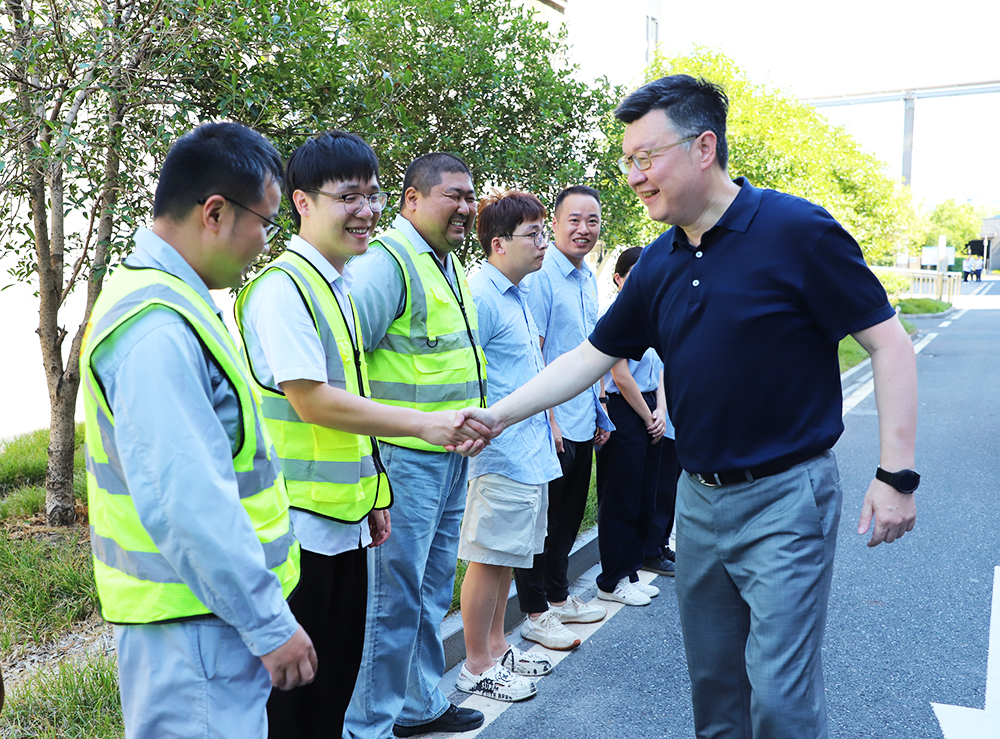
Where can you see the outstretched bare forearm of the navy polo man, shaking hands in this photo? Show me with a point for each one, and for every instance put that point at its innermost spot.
(566, 377)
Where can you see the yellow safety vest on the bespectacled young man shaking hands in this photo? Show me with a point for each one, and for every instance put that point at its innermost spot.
(332, 473)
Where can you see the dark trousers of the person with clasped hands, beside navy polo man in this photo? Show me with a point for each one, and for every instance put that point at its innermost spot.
(628, 472)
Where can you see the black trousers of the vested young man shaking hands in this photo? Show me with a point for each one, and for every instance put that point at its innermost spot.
(330, 603)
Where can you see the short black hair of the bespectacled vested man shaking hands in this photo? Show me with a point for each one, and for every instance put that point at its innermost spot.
(335, 156)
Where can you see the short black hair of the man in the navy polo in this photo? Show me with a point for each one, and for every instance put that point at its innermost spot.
(692, 105)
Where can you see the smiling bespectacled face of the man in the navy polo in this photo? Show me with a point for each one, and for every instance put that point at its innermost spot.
(671, 188)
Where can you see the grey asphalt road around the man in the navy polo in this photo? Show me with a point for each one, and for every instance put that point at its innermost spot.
(909, 623)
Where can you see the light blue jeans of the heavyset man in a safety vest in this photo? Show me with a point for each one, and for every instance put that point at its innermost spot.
(410, 583)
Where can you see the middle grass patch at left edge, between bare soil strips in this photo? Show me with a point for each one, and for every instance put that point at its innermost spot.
(46, 587)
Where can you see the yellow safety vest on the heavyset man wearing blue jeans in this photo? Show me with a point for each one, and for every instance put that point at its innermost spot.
(430, 358)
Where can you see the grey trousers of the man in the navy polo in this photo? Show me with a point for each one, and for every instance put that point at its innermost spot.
(754, 564)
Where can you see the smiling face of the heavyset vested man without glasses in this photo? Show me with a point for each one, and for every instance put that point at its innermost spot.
(444, 216)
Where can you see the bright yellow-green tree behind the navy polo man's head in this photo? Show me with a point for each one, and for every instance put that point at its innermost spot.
(778, 142)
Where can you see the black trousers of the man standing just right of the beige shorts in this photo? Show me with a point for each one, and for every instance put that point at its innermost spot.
(547, 579)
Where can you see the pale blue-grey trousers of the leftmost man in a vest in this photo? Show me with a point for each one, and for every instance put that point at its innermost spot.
(194, 679)
